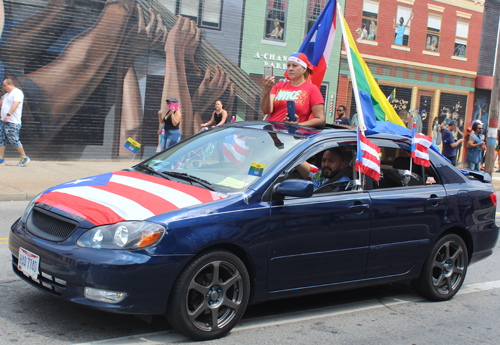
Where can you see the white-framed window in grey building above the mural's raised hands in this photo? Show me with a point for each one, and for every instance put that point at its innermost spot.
(206, 13)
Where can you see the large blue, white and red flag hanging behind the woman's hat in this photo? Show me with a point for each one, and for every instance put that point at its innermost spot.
(319, 41)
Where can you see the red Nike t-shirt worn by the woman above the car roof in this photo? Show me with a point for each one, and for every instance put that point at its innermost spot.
(305, 96)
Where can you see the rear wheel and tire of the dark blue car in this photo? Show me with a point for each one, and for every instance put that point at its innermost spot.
(444, 269)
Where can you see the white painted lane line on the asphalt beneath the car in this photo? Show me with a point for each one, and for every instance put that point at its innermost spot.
(167, 337)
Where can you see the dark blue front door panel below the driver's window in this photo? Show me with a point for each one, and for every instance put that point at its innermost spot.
(318, 240)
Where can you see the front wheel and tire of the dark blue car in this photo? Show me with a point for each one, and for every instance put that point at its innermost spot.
(209, 296)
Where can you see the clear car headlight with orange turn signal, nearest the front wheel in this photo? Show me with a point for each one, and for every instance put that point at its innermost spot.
(123, 235)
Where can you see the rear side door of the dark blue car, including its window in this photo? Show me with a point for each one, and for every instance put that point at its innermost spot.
(404, 217)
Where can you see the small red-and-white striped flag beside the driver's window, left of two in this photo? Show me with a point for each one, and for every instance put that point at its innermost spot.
(367, 157)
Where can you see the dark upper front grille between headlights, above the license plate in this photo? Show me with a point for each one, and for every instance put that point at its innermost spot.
(50, 226)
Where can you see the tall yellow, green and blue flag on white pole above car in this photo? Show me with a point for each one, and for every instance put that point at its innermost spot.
(371, 103)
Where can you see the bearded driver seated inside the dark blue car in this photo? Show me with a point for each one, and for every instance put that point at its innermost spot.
(332, 170)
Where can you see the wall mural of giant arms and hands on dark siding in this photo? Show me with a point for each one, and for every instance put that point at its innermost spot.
(97, 72)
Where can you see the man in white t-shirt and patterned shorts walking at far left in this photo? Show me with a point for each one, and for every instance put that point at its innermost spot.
(10, 124)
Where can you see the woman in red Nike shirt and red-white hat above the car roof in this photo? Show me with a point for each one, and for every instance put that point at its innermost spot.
(308, 99)
